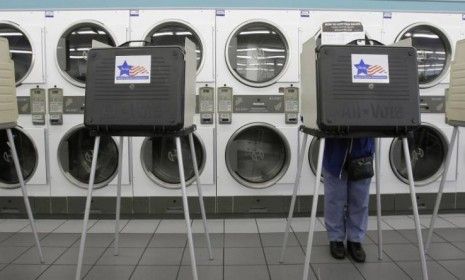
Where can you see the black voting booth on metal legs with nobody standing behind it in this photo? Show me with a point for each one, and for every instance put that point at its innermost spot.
(142, 91)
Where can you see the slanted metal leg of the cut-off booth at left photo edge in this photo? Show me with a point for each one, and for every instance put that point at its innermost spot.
(14, 154)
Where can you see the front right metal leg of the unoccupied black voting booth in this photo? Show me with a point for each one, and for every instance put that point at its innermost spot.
(186, 208)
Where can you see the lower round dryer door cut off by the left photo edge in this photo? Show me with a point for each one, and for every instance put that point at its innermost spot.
(27, 154)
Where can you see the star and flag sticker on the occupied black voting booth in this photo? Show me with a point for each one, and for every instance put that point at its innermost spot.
(370, 68)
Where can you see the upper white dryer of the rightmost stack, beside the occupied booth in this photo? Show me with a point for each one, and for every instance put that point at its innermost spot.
(434, 36)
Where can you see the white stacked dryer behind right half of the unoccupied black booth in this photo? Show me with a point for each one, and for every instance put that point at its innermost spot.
(155, 163)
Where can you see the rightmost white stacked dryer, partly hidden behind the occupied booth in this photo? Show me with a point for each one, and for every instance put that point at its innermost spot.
(434, 36)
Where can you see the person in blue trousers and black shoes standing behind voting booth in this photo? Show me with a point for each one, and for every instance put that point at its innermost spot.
(347, 169)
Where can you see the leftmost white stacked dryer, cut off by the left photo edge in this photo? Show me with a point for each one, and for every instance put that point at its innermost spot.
(25, 33)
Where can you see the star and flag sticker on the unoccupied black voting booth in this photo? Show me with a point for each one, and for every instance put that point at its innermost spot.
(132, 69)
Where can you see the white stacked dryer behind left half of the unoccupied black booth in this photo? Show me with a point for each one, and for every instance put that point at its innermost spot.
(69, 37)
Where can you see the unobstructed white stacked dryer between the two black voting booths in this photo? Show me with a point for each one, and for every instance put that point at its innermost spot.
(258, 102)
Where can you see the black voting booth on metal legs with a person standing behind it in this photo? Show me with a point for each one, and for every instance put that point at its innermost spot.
(351, 91)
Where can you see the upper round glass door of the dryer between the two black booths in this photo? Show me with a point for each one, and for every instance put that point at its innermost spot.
(257, 54)
